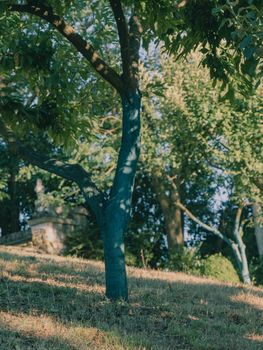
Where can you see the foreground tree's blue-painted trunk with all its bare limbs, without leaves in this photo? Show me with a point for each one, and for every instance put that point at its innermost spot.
(112, 212)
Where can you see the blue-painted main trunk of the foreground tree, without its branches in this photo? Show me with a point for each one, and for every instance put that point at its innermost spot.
(117, 209)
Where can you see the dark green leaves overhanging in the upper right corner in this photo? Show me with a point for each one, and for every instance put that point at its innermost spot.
(227, 33)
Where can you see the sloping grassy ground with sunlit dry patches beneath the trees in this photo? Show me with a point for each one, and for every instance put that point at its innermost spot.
(57, 303)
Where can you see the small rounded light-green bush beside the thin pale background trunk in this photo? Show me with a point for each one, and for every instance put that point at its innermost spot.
(219, 267)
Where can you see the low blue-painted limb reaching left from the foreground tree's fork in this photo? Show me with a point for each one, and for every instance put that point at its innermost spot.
(71, 172)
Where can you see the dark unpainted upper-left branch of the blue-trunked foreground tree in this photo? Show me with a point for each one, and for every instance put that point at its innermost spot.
(82, 46)
